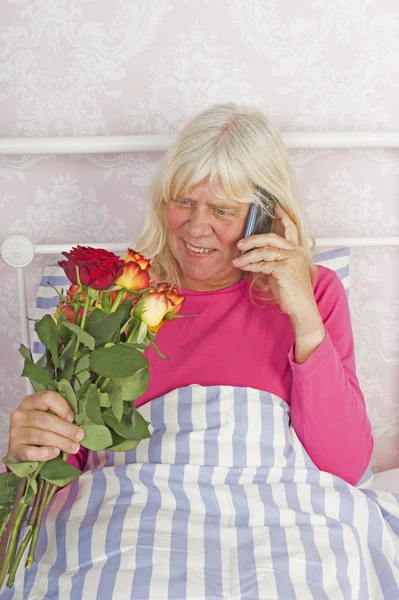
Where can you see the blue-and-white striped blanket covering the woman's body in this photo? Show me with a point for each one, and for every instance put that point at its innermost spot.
(221, 502)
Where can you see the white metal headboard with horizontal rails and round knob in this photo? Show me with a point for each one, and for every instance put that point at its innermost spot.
(18, 251)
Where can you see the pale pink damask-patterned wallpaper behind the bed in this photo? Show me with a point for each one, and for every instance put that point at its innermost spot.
(84, 67)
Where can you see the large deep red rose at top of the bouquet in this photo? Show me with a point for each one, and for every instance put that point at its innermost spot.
(97, 268)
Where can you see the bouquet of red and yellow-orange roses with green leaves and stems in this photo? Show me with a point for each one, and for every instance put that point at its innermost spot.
(94, 359)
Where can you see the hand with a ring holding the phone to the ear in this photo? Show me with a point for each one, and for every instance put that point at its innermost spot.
(285, 263)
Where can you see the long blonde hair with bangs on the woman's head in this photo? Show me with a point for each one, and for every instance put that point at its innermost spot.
(233, 148)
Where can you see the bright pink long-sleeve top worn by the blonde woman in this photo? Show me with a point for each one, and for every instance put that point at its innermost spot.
(234, 342)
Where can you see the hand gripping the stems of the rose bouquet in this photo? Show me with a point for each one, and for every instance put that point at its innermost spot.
(37, 435)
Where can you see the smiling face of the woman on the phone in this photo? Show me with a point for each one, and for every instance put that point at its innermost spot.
(203, 232)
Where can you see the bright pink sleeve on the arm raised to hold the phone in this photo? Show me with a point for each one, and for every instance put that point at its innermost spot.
(327, 406)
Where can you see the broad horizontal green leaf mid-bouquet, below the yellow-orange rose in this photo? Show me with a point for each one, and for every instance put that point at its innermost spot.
(117, 361)
